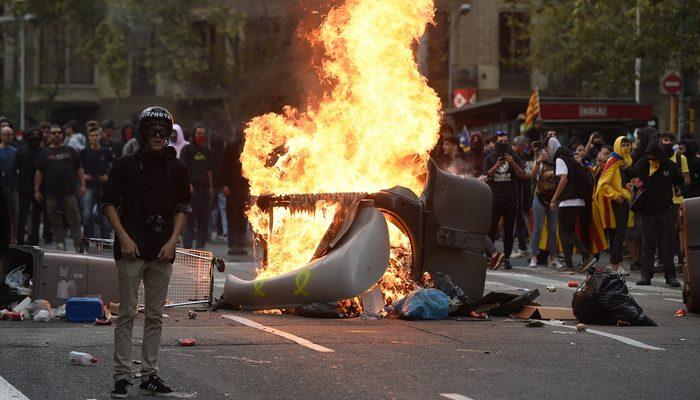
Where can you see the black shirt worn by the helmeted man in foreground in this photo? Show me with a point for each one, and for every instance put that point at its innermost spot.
(147, 187)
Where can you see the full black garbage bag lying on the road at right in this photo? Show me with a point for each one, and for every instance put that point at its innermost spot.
(603, 299)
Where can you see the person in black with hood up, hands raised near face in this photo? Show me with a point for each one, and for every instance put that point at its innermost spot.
(660, 178)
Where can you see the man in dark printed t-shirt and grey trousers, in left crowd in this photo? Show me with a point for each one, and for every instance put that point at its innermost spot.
(60, 171)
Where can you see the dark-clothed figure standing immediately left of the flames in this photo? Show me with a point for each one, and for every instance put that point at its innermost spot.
(236, 189)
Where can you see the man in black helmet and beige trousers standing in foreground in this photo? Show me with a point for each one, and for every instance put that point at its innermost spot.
(151, 189)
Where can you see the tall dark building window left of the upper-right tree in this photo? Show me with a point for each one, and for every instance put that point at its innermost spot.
(514, 46)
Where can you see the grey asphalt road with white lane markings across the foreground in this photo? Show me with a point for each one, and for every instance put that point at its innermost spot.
(394, 359)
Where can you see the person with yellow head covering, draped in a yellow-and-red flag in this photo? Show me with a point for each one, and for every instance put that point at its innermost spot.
(612, 200)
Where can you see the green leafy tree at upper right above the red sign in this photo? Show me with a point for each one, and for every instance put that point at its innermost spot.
(591, 45)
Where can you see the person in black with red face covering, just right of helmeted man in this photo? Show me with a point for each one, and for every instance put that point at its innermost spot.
(198, 160)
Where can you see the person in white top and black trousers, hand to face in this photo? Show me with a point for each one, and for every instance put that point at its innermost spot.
(569, 205)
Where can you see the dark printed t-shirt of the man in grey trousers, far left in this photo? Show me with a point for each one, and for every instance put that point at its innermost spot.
(59, 166)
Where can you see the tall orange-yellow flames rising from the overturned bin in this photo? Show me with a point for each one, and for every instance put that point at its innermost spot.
(371, 130)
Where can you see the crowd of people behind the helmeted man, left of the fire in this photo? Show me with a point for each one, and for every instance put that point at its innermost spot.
(53, 177)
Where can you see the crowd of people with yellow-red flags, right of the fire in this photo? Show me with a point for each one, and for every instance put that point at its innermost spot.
(588, 197)
